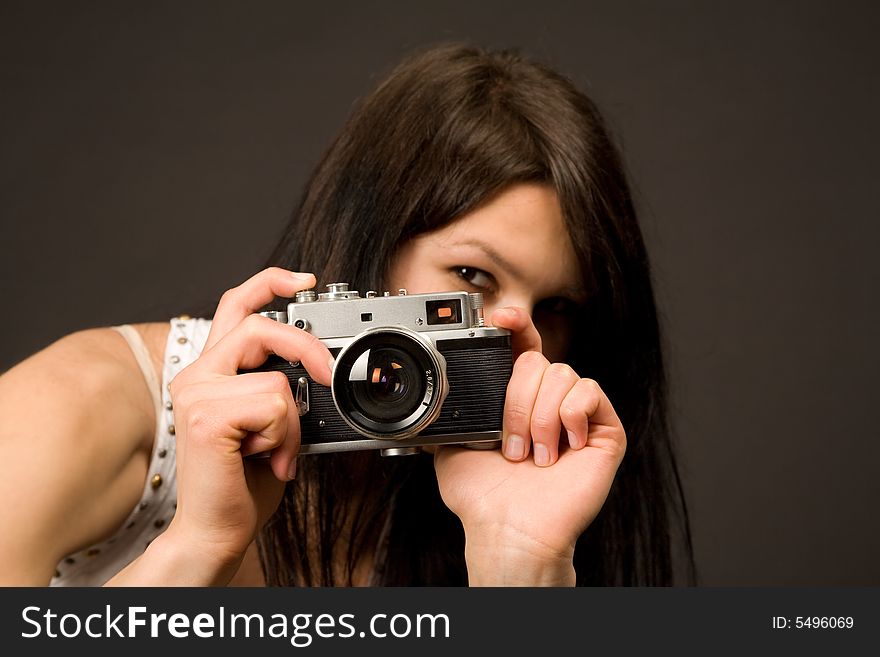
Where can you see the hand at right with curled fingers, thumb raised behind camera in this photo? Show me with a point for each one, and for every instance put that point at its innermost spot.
(521, 515)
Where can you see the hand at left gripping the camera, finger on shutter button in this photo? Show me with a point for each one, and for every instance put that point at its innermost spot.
(222, 416)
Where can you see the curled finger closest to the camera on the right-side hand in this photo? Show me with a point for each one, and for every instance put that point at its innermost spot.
(522, 390)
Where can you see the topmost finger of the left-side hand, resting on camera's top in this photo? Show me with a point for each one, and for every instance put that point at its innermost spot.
(257, 291)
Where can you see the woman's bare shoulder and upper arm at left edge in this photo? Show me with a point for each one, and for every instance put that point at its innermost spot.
(76, 428)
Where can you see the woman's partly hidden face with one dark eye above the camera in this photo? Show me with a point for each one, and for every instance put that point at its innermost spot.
(515, 250)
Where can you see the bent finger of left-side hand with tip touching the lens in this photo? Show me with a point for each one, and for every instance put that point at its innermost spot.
(248, 344)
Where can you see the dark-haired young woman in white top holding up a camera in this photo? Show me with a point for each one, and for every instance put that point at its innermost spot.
(125, 448)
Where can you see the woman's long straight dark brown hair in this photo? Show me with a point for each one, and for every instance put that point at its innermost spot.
(447, 130)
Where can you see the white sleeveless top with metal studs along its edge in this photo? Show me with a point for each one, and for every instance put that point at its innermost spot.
(97, 563)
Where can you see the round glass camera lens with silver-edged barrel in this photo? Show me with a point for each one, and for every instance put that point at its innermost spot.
(388, 383)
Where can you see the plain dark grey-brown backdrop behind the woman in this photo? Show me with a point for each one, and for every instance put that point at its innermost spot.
(151, 152)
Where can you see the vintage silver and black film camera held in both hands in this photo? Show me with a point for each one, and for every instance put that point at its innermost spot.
(410, 371)
